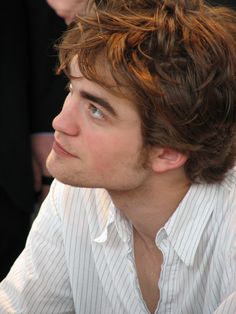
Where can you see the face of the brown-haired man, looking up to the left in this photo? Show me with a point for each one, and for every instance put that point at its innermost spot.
(98, 141)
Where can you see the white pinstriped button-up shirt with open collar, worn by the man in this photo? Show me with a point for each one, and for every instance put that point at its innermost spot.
(79, 256)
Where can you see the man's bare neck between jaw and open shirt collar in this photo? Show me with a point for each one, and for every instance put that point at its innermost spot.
(149, 206)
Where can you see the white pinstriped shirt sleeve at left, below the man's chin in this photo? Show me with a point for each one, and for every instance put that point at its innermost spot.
(38, 281)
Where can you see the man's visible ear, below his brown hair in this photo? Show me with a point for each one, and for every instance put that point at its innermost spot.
(165, 159)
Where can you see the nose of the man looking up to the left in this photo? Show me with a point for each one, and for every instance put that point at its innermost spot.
(65, 121)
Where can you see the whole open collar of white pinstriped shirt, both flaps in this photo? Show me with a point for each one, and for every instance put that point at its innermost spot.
(184, 228)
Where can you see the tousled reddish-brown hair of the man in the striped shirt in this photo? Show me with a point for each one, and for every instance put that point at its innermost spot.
(178, 60)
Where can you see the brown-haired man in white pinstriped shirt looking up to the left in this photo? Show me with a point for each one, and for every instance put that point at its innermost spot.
(142, 216)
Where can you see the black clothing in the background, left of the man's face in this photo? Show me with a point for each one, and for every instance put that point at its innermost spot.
(31, 95)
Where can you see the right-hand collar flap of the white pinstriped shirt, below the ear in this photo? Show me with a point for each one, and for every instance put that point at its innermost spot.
(185, 227)
